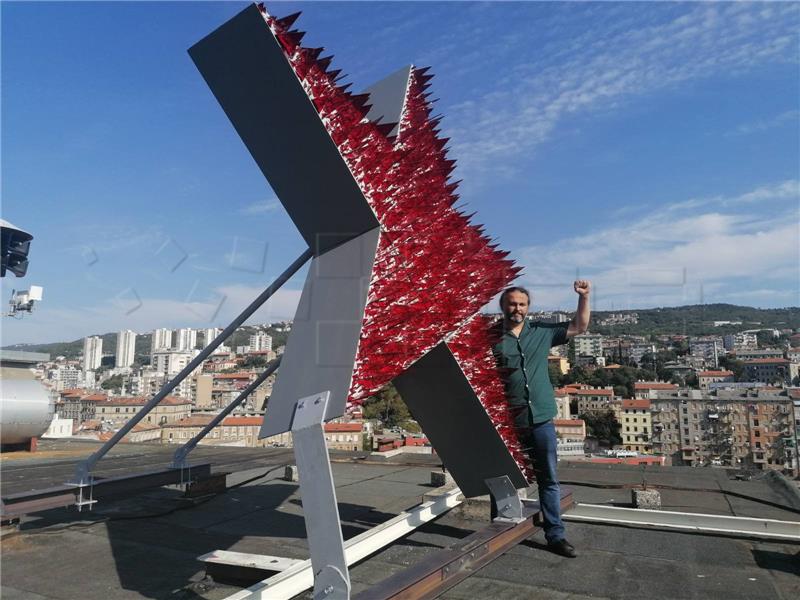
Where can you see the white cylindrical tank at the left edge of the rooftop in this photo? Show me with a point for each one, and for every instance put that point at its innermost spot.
(26, 410)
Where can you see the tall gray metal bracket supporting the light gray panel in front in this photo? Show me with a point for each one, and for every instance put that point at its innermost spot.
(331, 577)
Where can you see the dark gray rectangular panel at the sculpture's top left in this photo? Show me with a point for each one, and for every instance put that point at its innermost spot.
(245, 68)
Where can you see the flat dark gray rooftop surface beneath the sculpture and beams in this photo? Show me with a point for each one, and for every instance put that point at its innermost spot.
(146, 546)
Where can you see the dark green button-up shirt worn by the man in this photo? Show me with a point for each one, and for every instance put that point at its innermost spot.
(525, 373)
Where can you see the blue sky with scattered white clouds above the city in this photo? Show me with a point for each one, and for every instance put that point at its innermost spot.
(651, 147)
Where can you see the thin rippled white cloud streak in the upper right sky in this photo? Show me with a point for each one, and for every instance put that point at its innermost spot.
(595, 70)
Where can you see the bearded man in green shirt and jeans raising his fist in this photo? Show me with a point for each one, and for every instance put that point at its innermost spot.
(522, 354)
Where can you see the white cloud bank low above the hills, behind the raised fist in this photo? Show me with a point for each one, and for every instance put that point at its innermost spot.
(678, 255)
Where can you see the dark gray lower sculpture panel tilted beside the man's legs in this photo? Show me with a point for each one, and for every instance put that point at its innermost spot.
(441, 399)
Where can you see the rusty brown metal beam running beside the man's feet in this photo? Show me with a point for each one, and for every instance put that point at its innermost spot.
(444, 569)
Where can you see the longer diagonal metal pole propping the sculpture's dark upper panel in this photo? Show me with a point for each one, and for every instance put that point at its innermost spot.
(83, 469)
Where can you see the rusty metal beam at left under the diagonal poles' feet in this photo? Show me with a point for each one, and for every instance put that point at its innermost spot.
(23, 503)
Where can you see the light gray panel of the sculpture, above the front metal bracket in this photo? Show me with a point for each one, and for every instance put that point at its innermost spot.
(322, 346)
